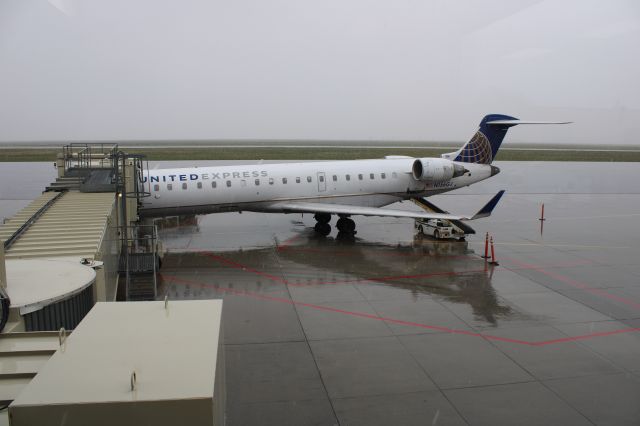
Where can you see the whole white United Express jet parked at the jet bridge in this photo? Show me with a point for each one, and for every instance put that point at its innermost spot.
(342, 188)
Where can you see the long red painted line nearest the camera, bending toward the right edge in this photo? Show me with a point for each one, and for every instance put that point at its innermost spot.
(177, 280)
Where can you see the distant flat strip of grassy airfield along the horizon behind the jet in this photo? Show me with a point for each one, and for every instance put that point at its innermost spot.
(323, 150)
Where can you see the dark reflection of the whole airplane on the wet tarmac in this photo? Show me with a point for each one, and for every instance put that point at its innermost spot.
(445, 270)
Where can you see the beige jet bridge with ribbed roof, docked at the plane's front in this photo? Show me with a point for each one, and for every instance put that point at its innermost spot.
(88, 215)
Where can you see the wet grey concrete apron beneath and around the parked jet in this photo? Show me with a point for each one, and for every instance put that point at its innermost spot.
(392, 328)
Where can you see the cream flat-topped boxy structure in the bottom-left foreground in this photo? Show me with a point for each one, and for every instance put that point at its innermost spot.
(174, 353)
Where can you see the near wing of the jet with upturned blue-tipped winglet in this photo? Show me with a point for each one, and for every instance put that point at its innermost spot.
(346, 209)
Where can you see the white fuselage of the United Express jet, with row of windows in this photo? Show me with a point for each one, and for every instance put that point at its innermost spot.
(368, 183)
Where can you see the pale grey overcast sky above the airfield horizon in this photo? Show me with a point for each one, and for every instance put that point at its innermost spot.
(330, 69)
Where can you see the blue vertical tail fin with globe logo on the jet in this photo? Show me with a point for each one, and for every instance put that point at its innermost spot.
(484, 145)
